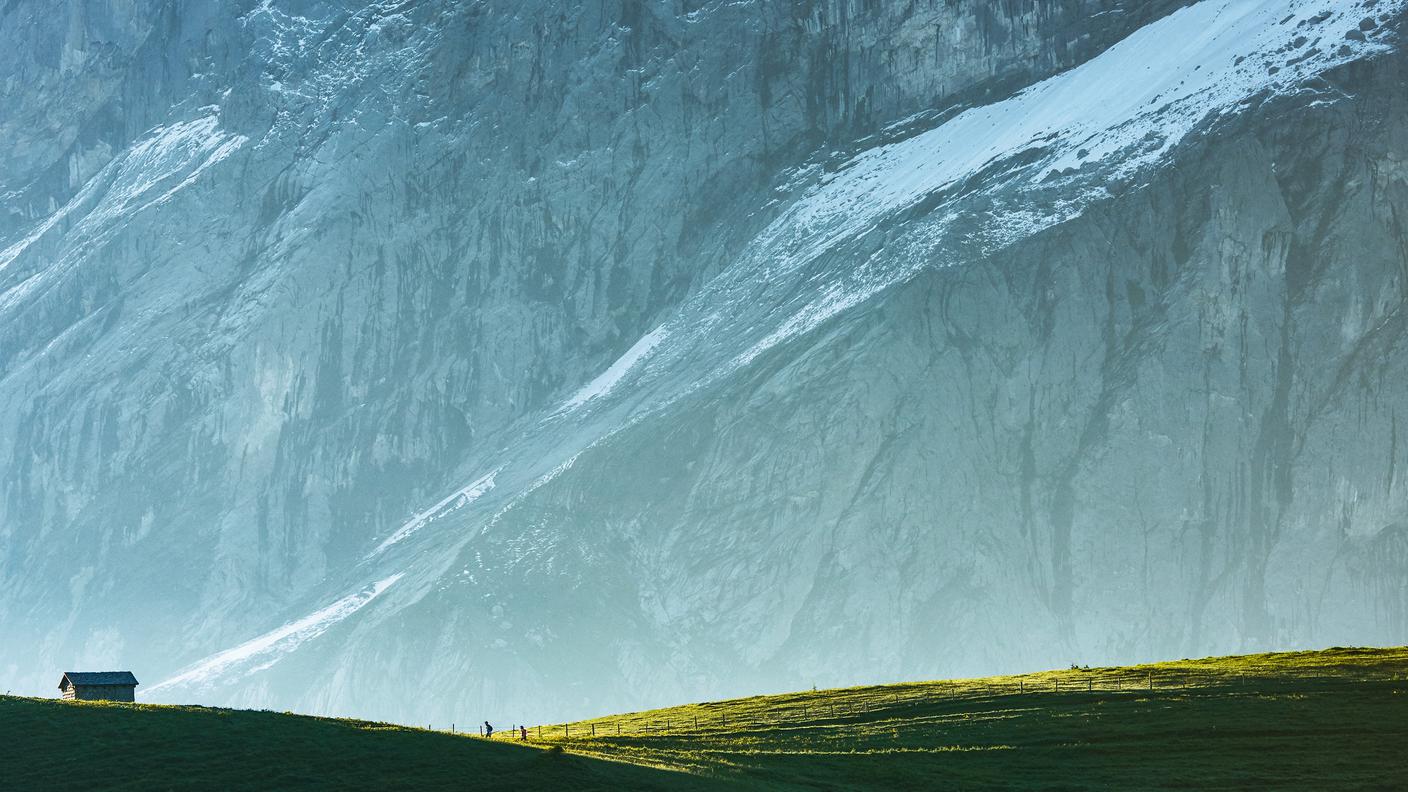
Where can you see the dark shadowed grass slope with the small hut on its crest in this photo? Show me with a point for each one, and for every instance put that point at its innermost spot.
(53, 745)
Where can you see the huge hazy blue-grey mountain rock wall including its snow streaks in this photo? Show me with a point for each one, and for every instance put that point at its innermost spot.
(586, 357)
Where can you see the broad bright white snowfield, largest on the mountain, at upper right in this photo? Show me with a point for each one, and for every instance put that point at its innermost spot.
(1137, 101)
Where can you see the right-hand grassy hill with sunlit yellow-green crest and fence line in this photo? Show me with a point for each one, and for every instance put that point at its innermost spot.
(1289, 718)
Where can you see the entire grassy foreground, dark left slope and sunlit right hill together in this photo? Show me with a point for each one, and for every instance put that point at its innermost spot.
(1305, 721)
